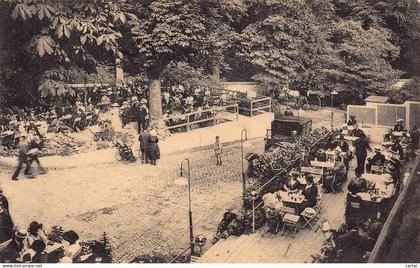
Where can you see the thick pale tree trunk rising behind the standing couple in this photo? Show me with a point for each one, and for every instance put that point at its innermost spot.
(155, 99)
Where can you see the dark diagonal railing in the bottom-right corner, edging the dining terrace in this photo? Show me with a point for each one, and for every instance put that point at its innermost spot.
(389, 230)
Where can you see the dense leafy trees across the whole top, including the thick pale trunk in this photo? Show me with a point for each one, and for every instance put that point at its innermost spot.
(358, 45)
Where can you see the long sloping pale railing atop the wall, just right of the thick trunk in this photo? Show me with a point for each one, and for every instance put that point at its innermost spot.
(199, 117)
